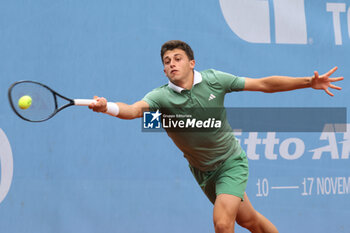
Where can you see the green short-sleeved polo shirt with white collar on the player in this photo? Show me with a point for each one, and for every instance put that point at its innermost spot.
(203, 150)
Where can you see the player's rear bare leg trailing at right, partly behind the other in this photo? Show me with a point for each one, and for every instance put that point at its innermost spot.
(249, 218)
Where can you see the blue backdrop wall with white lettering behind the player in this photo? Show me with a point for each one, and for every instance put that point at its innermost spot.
(88, 172)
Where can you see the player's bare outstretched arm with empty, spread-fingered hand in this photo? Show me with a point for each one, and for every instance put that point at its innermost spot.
(283, 83)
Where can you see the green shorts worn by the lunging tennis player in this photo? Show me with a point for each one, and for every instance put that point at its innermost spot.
(229, 178)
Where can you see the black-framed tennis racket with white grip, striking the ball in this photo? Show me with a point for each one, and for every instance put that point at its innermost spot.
(45, 102)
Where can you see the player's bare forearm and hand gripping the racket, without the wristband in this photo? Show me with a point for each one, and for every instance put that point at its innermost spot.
(126, 111)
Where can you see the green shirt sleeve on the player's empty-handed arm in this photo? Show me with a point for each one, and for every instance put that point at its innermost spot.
(230, 82)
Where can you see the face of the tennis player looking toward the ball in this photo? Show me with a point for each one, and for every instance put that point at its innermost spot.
(177, 66)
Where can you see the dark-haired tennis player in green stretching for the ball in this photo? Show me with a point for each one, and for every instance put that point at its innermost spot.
(216, 159)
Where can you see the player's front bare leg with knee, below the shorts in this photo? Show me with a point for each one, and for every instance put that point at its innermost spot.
(225, 211)
